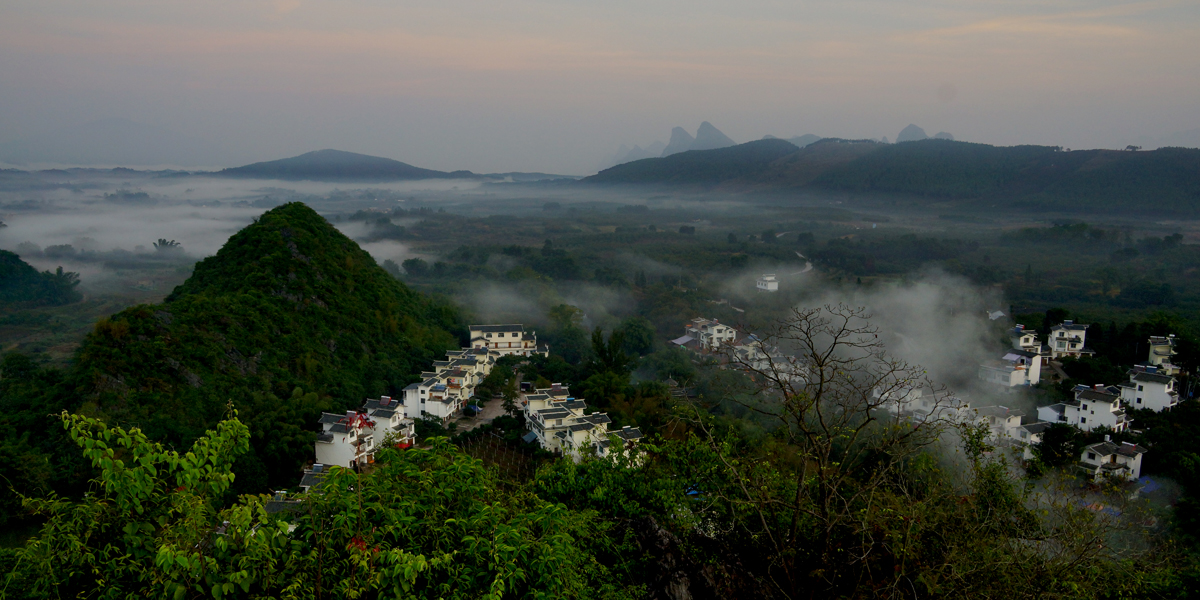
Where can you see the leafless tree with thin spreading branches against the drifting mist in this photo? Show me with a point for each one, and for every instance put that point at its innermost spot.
(832, 406)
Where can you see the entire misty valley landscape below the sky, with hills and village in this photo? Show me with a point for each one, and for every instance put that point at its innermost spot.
(767, 370)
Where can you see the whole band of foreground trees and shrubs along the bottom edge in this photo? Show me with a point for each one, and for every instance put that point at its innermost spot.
(716, 507)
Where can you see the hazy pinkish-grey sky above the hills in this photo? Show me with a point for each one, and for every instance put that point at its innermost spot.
(559, 86)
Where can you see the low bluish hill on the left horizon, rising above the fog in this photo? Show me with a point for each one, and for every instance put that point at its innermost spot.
(339, 165)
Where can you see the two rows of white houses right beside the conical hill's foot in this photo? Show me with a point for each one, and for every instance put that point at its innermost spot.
(557, 422)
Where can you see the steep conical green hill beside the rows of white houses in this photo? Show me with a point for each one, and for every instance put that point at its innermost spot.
(291, 317)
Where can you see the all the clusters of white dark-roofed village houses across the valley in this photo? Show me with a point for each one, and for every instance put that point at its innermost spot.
(560, 423)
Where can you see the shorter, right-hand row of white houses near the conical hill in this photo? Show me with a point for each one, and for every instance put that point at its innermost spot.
(561, 424)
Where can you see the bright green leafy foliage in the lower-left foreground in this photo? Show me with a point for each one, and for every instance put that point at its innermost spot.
(424, 524)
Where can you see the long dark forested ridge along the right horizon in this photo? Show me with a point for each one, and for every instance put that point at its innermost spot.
(1040, 178)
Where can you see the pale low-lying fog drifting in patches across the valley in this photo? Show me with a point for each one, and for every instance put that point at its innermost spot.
(109, 230)
